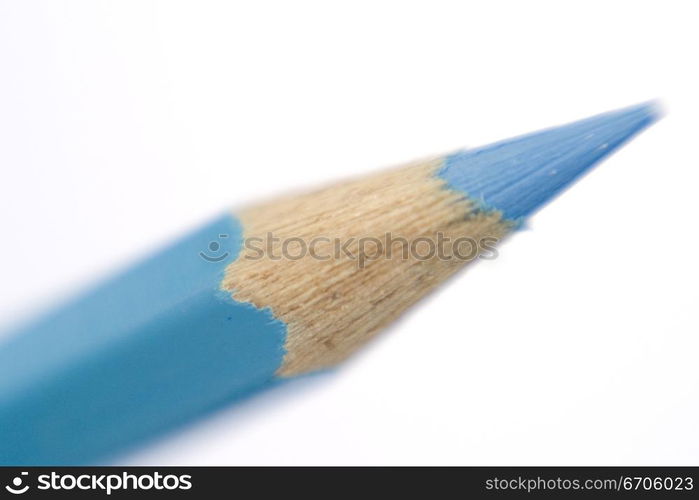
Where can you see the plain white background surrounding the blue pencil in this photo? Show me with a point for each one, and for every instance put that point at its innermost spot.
(124, 124)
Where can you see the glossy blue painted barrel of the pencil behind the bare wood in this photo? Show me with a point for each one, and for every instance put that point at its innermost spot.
(144, 352)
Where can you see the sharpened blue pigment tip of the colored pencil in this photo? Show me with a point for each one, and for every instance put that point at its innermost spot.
(518, 176)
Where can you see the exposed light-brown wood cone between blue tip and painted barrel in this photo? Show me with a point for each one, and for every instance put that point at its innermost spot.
(333, 305)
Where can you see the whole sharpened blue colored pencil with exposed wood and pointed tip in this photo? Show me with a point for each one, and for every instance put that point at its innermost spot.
(284, 288)
